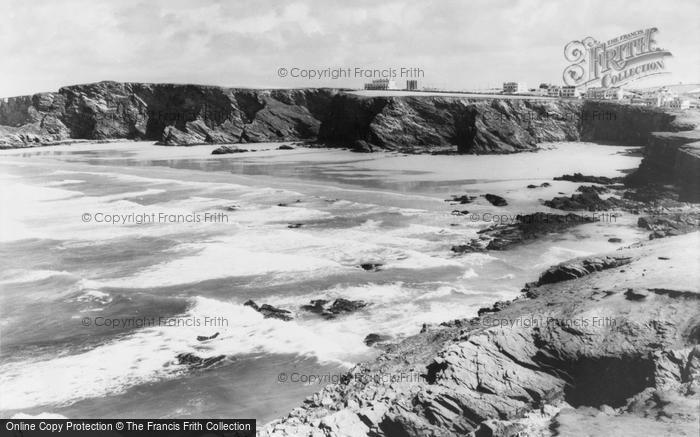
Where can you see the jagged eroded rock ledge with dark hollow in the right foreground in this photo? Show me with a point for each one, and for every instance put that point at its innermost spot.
(609, 344)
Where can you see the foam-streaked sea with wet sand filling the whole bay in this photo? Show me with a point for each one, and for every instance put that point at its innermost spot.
(116, 257)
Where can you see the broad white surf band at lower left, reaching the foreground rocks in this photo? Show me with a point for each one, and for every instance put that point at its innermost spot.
(149, 354)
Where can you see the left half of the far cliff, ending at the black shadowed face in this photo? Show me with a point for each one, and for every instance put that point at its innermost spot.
(170, 114)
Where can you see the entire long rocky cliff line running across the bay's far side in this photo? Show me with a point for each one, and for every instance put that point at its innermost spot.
(193, 114)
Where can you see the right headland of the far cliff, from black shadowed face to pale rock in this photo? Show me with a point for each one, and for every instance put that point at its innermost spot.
(448, 124)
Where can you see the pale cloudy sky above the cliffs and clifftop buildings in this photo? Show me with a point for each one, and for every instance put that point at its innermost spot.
(475, 44)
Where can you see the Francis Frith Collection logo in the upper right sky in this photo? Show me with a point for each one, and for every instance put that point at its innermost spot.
(615, 62)
